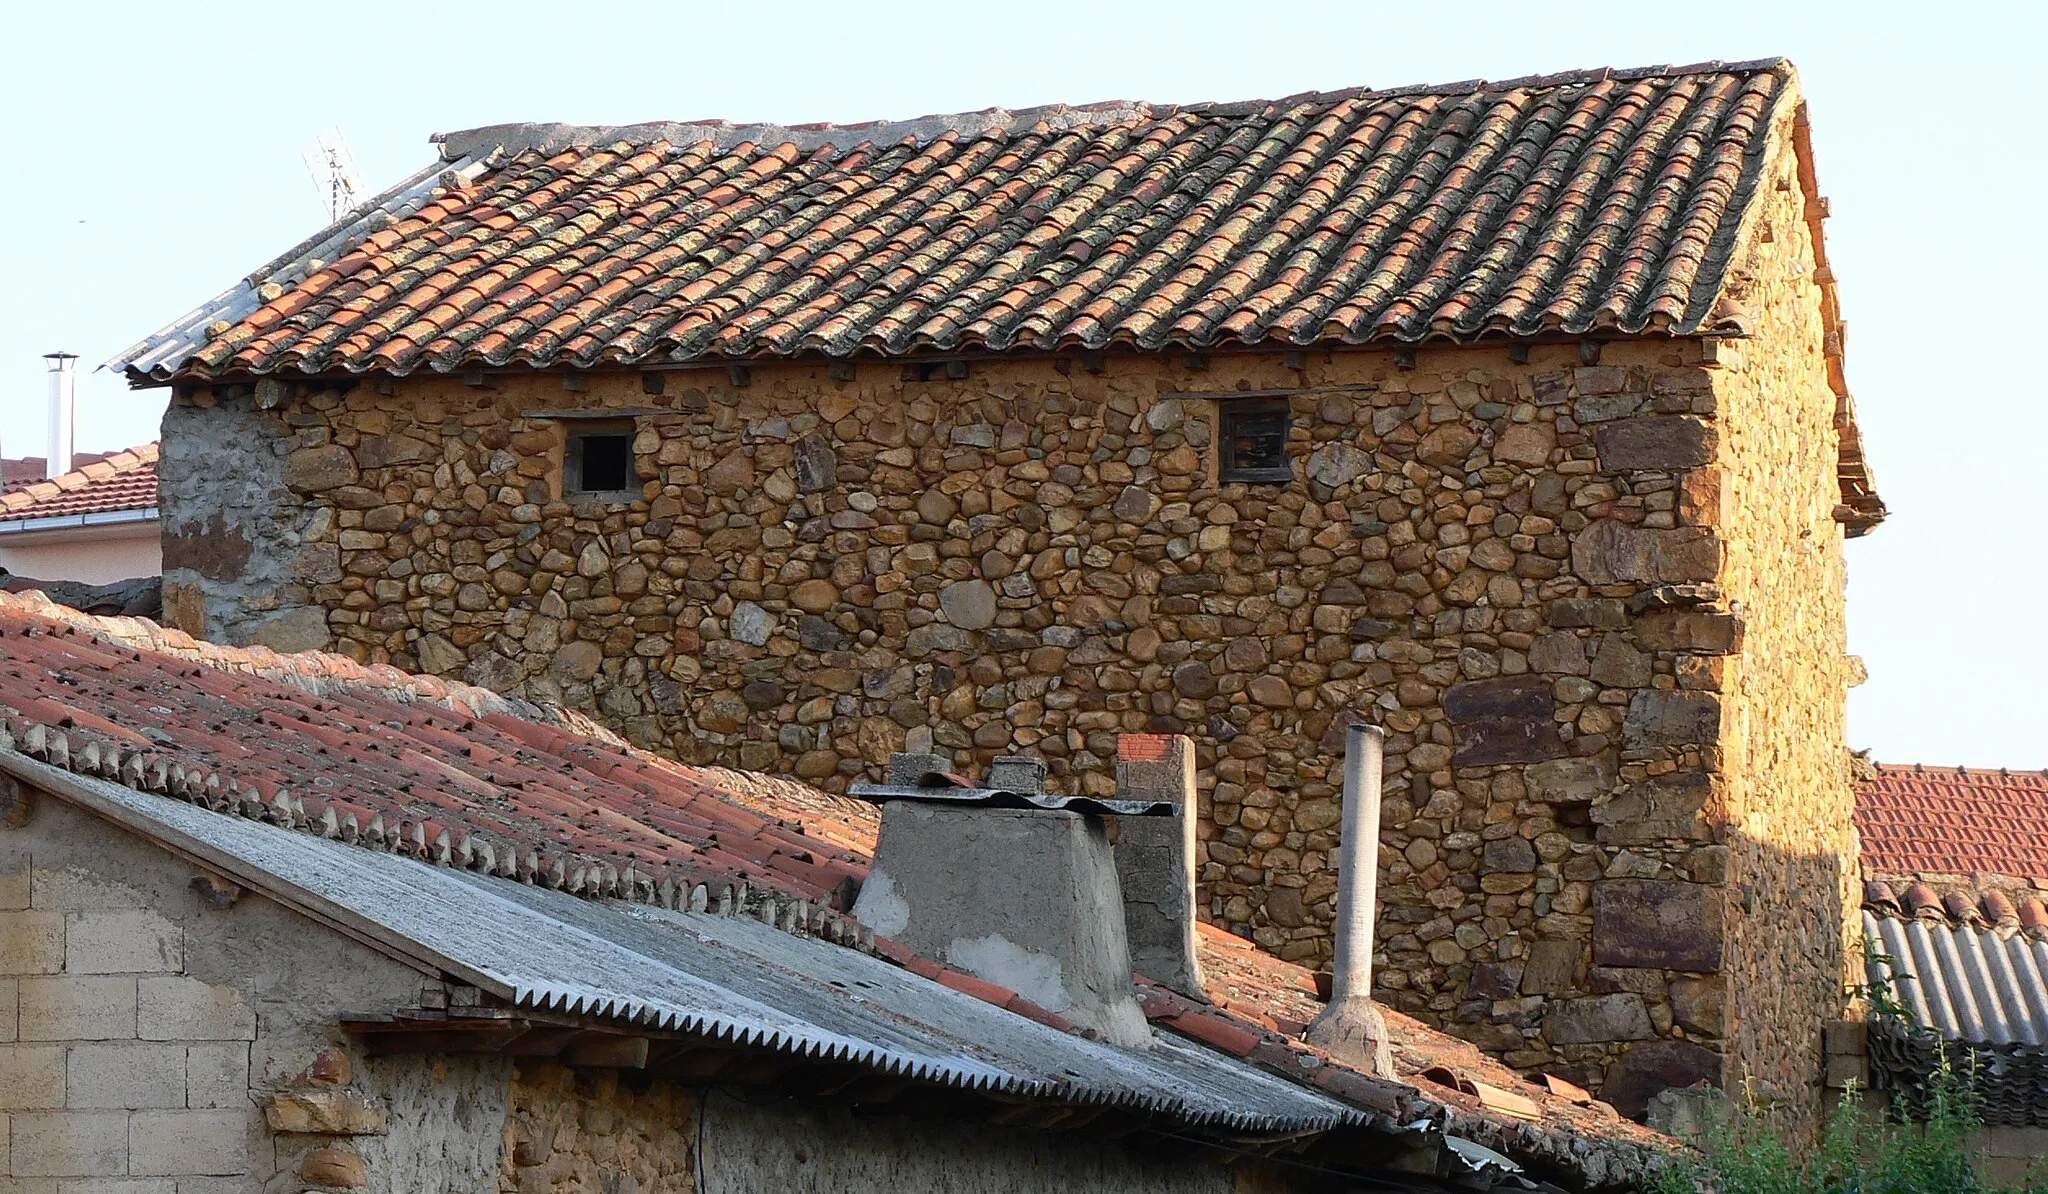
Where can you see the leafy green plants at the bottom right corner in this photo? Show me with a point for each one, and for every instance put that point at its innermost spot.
(1859, 1152)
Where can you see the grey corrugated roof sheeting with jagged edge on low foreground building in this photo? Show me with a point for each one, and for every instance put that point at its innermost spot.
(726, 978)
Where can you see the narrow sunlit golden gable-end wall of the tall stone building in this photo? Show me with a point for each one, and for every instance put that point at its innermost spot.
(1793, 927)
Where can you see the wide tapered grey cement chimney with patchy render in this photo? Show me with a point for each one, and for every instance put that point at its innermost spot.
(1023, 898)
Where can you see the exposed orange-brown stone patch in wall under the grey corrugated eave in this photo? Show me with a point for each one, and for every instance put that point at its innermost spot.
(585, 1132)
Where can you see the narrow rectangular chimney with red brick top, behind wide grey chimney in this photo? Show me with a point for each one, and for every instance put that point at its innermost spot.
(1156, 859)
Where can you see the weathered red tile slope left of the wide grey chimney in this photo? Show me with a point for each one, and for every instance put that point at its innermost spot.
(407, 759)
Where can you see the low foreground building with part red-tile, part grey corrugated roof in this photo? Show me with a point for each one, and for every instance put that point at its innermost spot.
(300, 925)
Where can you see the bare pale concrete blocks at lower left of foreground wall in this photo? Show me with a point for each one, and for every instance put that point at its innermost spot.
(118, 1070)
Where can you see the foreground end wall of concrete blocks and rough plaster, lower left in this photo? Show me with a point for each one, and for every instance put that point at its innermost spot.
(161, 1043)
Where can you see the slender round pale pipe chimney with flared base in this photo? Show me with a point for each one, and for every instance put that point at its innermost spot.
(1353, 1027)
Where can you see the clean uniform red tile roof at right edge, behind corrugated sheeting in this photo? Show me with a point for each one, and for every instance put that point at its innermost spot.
(1918, 820)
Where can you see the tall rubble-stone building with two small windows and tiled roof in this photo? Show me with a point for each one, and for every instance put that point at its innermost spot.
(1510, 417)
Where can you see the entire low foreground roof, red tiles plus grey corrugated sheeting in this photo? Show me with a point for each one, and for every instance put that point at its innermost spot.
(464, 824)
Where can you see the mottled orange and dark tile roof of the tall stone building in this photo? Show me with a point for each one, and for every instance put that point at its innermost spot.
(1588, 202)
